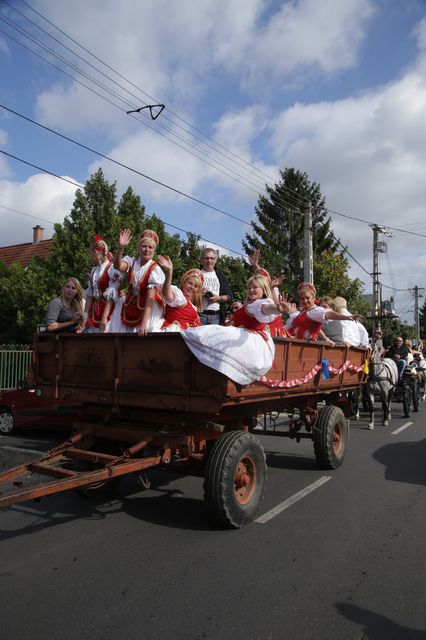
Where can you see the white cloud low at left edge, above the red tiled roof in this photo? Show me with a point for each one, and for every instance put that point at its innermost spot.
(41, 199)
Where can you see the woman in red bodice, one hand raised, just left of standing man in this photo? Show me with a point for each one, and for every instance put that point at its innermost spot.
(181, 305)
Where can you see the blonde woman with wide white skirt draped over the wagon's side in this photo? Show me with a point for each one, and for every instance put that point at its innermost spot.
(245, 350)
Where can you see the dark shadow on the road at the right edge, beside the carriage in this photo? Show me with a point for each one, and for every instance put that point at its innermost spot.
(404, 461)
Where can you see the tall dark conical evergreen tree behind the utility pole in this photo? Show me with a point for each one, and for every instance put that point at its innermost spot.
(279, 223)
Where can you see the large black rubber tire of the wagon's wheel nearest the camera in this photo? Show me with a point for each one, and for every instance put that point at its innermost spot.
(220, 491)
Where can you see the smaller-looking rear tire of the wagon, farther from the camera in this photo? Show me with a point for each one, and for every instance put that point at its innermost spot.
(331, 423)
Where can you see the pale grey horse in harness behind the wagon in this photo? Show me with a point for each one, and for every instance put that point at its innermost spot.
(382, 379)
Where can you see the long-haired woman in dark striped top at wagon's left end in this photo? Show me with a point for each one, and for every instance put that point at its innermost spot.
(66, 312)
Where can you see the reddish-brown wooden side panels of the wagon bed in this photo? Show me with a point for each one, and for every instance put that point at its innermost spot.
(158, 372)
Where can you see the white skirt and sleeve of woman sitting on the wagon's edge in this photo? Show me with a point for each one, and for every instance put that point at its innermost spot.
(238, 353)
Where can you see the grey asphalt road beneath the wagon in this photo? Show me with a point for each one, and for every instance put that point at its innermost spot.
(347, 561)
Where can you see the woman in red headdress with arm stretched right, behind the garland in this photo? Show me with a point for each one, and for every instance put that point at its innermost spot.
(307, 323)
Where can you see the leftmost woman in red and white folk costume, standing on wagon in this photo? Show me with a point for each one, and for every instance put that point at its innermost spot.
(103, 291)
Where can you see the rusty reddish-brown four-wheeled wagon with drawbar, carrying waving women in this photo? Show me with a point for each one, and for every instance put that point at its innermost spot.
(149, 403)
